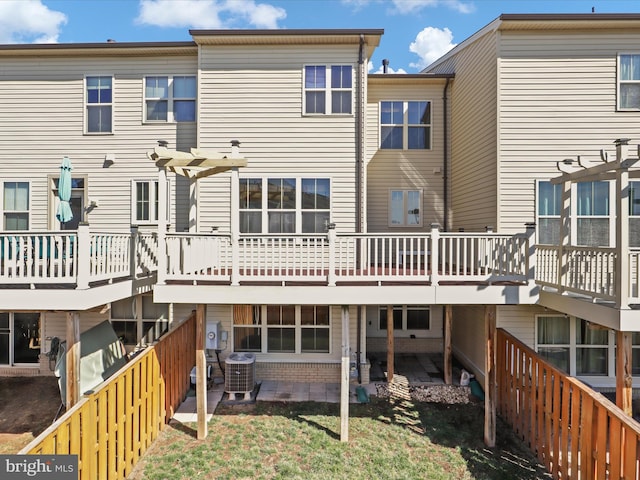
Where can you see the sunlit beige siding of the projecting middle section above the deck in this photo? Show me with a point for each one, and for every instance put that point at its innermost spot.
(254, 94)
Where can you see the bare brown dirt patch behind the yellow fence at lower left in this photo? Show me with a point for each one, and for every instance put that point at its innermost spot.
(27, 407)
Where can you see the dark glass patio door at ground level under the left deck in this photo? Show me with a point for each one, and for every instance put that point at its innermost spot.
(19, 338)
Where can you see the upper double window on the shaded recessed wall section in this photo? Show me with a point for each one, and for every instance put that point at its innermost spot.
(405, 125)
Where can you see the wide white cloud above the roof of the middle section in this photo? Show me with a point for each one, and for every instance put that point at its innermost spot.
(209, 13)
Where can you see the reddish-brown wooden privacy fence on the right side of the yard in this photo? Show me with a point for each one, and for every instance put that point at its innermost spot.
(576, 432)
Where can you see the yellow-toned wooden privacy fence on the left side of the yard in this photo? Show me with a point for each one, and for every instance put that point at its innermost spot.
(110, 429)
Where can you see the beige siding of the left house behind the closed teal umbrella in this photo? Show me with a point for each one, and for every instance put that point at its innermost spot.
(42, 120)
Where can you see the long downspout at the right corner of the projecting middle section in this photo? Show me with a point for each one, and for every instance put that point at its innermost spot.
(359, 172)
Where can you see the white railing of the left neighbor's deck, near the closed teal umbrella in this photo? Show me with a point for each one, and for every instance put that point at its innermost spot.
(76, 258)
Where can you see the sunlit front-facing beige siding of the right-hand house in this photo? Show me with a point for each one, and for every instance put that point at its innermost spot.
(557, 101)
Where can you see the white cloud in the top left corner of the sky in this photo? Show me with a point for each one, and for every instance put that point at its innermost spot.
(29, 21)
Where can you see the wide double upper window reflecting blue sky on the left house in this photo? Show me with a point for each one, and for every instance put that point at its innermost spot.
(170, 99)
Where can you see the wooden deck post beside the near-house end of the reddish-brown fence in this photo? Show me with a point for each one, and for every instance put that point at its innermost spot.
(490, 390)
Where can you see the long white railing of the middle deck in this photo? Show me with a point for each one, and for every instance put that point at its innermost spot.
(335, 258)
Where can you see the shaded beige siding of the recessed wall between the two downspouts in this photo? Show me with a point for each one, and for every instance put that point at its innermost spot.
(404, 169)
